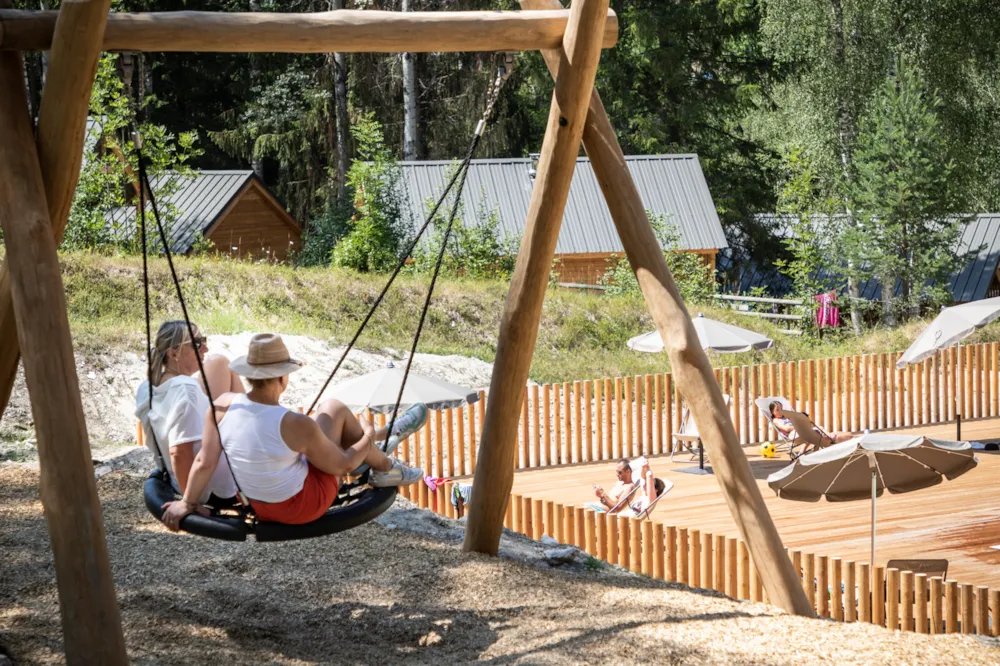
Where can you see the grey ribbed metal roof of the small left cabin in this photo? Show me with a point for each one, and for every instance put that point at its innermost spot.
(197, 201)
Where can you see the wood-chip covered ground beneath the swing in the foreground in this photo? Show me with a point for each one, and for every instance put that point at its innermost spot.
(400, 591)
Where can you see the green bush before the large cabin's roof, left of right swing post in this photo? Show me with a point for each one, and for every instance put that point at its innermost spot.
(478, 250)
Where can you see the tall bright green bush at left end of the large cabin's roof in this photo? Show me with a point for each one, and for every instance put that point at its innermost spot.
(378, 229)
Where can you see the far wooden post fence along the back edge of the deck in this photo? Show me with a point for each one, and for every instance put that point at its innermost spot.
(606, 419)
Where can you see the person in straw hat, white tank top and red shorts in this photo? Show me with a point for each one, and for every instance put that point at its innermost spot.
(287, 463)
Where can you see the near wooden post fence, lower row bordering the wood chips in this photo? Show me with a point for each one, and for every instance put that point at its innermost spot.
(841, 590)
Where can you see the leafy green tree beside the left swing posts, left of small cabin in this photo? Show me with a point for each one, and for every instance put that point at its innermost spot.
(111, 160)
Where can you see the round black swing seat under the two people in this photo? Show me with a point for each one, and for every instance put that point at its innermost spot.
(355, 506)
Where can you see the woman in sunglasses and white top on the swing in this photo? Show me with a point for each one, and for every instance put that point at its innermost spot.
(175, 420)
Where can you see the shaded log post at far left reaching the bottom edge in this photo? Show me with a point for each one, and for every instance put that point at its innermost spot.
(91, 623)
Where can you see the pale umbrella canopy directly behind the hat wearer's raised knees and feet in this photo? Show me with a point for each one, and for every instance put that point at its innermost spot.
(378, 391)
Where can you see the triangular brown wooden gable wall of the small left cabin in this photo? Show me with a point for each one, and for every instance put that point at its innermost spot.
(255, 226)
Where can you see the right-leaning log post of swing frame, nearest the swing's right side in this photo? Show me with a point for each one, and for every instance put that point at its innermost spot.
(519, 325)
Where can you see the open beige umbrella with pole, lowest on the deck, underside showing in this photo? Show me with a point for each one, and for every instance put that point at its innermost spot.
(866, 466)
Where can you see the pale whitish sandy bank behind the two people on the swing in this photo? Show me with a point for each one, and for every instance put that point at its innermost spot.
(108, 384)
